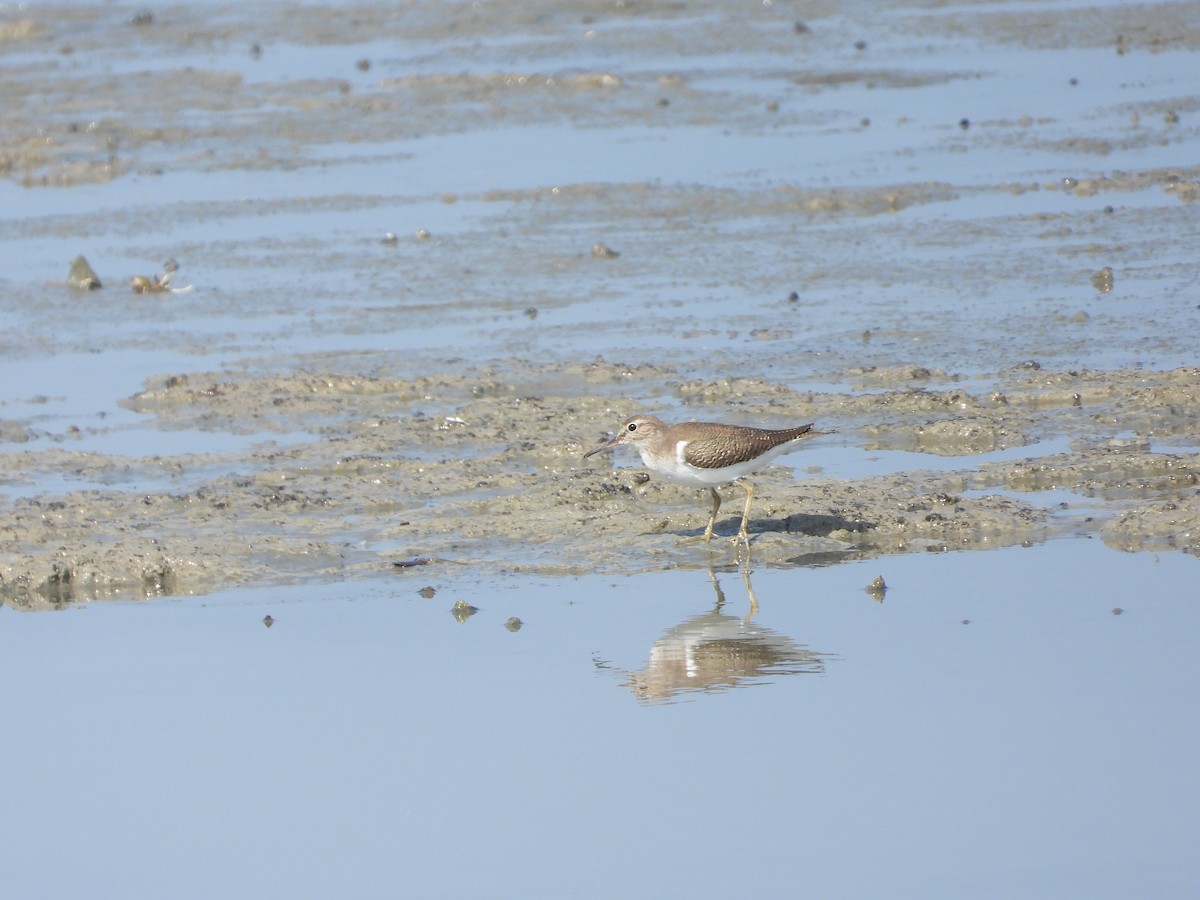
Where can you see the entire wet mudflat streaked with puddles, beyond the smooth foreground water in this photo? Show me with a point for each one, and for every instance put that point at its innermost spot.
(769, 302)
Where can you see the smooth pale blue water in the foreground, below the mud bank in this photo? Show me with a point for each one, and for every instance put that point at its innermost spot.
(991, 729)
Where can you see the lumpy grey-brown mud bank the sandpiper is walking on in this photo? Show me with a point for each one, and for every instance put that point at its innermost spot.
(495, 482)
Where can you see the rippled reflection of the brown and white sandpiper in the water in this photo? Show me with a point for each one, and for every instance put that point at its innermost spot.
(716, 652)
